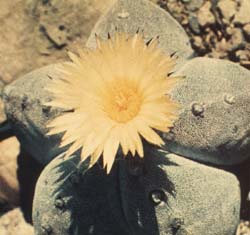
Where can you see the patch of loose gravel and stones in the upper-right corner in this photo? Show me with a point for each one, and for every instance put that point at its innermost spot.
(217, 28)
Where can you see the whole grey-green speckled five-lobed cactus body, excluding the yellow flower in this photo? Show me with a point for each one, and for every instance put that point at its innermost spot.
(165, 193)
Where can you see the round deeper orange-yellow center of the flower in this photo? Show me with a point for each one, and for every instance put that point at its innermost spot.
(123, 100)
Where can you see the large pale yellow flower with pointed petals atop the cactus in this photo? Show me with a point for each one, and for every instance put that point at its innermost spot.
(117, 94)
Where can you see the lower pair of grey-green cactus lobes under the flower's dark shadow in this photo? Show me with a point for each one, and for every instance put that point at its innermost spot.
(171, 195)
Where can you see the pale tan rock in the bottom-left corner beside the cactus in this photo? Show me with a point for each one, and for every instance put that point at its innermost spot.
(12, 223)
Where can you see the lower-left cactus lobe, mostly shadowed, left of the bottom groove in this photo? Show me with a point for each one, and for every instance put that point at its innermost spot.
(80, 201)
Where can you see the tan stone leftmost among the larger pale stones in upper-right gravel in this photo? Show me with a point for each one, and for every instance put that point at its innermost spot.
(205, 16)
